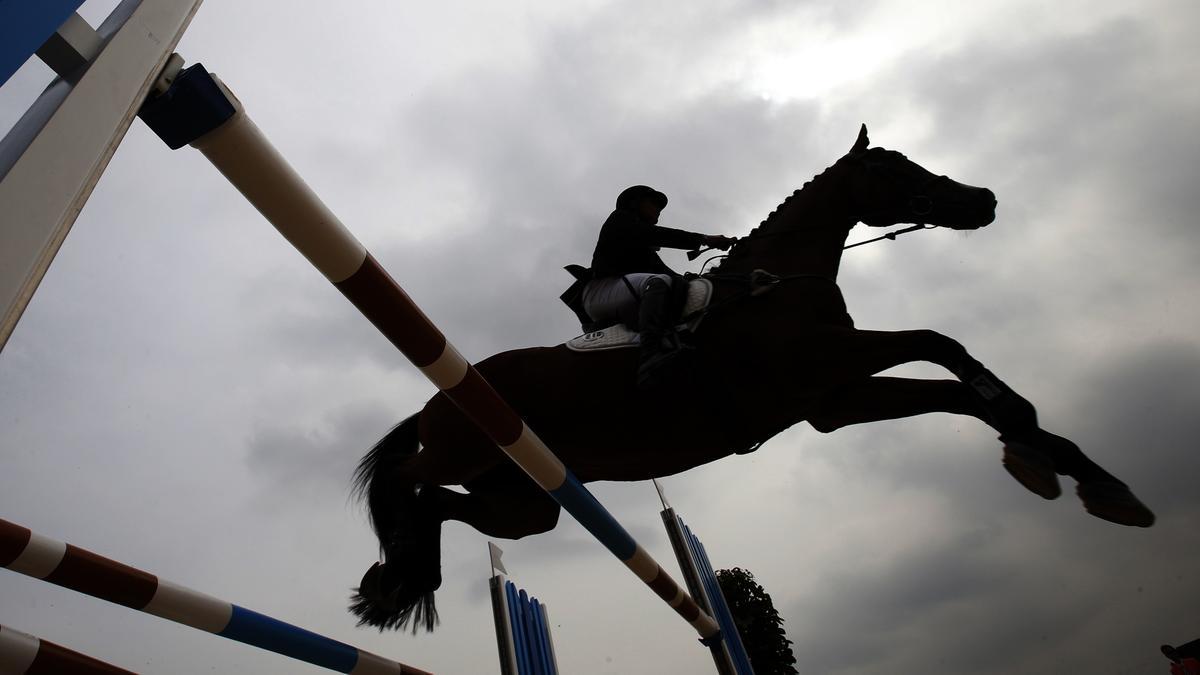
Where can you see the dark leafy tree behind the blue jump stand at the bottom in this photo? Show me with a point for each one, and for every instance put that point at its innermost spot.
(759, 624)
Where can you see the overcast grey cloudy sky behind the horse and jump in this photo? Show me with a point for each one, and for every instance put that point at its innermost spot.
(188, 396)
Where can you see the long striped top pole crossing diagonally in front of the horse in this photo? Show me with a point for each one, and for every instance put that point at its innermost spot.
(196, 109)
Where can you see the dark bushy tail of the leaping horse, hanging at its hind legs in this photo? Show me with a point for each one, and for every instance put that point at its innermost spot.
(400, 590)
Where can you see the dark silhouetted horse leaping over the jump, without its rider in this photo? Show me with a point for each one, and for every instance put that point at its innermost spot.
(777, 348)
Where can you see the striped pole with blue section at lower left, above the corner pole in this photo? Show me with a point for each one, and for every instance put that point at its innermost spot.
(71, 568)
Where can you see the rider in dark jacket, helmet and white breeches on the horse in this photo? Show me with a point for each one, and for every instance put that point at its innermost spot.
(629, 283)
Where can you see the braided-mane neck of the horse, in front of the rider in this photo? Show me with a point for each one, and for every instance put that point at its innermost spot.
(803, 236)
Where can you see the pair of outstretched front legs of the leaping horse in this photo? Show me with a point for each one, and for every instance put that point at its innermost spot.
(1031, 455)
